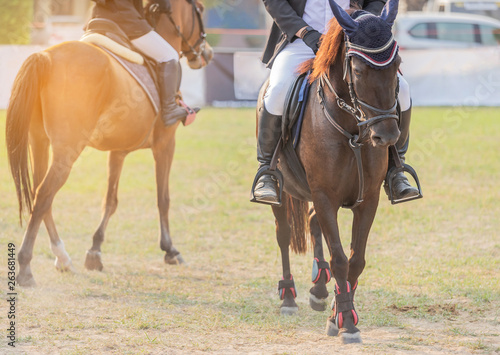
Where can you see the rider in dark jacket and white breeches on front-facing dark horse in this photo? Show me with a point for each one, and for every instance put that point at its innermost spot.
(295, 38)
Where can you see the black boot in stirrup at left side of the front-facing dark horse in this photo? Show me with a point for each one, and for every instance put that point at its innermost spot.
(269, 126)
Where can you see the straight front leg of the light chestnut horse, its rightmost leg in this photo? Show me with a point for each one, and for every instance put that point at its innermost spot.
(163, 153)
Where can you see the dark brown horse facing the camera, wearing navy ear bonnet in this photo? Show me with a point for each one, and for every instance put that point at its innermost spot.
(350, 121)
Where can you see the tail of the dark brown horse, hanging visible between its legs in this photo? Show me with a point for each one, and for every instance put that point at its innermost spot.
(298, 219)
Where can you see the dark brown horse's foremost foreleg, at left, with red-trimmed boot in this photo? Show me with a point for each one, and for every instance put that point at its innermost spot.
(344, 318)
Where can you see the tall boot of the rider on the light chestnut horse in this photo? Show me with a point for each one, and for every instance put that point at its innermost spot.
(168, 77)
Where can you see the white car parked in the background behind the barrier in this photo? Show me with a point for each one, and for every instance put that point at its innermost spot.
(415, 30)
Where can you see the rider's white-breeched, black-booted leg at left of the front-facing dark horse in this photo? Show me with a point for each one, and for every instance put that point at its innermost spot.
(269, 115)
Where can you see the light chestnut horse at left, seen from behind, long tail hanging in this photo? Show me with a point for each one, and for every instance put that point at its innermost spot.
(74, 95)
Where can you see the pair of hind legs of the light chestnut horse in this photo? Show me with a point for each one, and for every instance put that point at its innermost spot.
(57, 175)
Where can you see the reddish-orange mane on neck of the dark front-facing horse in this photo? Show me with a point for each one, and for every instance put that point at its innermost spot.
(328, 53)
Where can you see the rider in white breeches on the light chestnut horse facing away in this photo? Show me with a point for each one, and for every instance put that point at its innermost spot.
(129, 15)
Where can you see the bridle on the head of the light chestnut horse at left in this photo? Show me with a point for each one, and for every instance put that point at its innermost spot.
(155, 10)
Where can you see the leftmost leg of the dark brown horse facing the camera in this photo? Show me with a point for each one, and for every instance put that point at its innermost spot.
(286, 286)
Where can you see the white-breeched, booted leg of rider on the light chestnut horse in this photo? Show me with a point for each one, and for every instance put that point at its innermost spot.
(154, 46)
